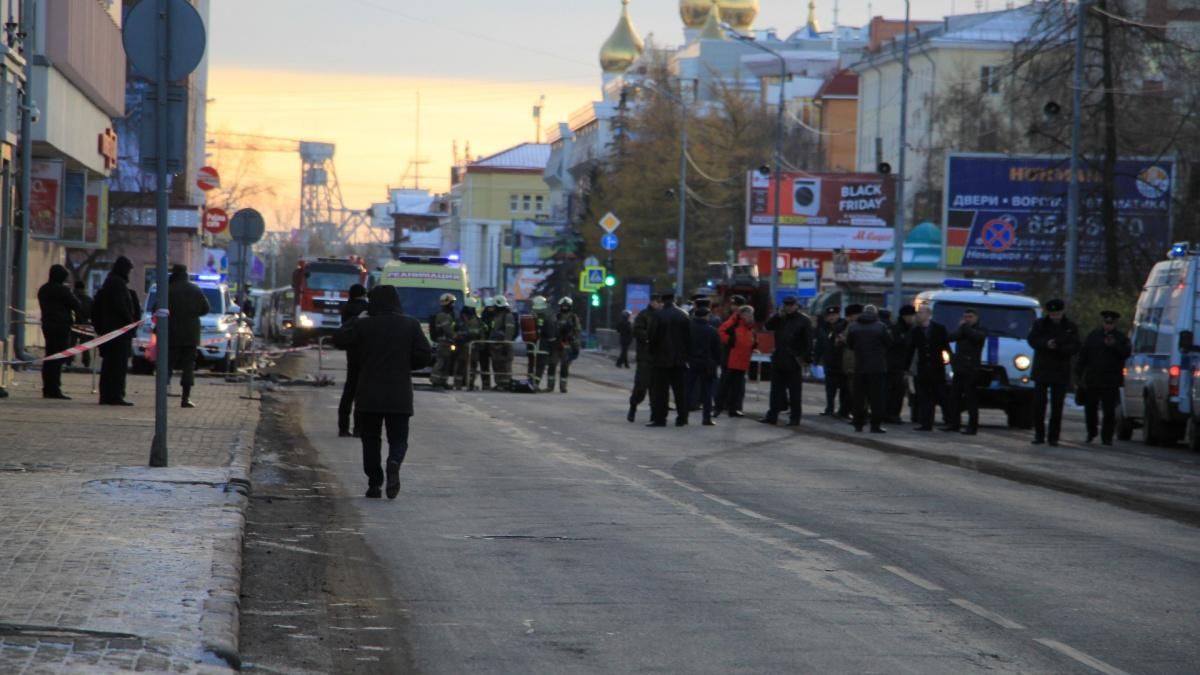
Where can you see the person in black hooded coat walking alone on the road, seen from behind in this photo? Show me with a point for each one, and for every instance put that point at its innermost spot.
(391, 347)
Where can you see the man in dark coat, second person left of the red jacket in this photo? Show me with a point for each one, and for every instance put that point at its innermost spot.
(670, 349)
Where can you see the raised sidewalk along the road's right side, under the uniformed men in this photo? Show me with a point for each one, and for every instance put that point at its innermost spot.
(1161, 481)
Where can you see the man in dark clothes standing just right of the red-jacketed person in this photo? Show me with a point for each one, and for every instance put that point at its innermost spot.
(794, 350)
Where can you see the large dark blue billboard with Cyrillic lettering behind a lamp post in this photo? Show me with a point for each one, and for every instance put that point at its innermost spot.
(1011, 212)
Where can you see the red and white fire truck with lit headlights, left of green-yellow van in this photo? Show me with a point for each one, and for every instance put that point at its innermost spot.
(322, 286)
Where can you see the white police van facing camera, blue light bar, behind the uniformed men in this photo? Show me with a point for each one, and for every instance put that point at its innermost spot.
(1007, 318)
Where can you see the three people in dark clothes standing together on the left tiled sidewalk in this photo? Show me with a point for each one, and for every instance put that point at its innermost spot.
(65, 310)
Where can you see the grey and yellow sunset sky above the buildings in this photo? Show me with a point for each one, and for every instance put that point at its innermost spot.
(350, 71)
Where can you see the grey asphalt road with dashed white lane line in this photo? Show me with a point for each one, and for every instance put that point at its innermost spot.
(544, 534)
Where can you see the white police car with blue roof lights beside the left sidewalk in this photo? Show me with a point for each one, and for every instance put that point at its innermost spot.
(226, 337)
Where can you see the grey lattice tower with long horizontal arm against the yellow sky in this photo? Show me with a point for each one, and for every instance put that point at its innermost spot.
(323, 213)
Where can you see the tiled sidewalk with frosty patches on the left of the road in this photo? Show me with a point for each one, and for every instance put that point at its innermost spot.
(111, 566)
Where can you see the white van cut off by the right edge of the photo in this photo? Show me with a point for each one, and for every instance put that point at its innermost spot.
(1157, 395)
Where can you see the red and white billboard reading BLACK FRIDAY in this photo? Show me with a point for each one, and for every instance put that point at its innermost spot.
(823, 212)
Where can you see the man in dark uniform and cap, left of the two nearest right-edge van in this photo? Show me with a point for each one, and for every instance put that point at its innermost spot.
(1055, 341)
